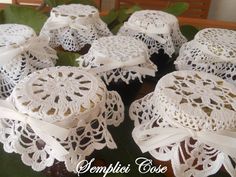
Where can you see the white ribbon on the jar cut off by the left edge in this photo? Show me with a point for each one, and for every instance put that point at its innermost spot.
(34, 44)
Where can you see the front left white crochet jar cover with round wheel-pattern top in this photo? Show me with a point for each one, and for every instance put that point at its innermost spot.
(69, 99)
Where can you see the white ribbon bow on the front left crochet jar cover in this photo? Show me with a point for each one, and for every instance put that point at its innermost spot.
(48, 132)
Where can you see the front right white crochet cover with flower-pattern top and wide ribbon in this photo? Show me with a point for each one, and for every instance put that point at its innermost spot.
(190, 120)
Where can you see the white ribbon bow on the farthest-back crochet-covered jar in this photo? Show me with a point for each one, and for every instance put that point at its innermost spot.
(59, 21)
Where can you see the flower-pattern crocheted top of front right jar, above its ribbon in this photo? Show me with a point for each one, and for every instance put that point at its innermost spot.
(196, 100)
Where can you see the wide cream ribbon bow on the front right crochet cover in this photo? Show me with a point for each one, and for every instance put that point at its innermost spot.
(156, 137)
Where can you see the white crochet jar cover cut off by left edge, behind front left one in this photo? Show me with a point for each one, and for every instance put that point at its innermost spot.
(21, 52)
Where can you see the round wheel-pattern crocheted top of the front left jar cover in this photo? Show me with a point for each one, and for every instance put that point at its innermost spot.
(54, 94)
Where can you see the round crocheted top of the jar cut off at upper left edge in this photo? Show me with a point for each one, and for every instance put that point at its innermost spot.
(14, 34)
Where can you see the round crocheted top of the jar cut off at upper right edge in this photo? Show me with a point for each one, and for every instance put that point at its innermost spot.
(220, 43)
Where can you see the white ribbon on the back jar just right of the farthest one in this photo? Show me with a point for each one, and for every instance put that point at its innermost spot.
(150, 30)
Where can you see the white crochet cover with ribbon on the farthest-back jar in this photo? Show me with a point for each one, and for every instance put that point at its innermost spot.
(73, 26)
